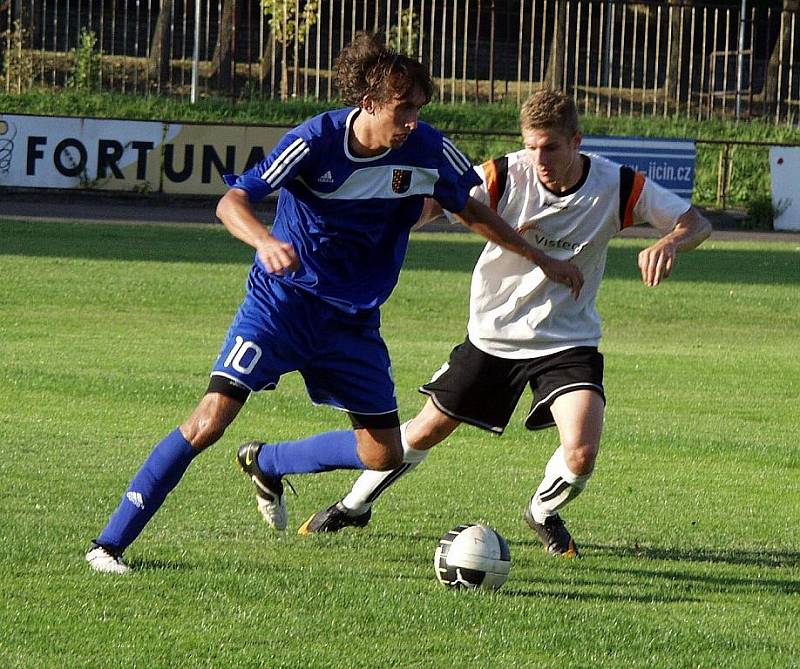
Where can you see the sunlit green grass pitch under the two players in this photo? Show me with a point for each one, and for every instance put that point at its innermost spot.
(689, 528)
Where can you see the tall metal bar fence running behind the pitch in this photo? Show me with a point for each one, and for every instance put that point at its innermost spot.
(615, 57)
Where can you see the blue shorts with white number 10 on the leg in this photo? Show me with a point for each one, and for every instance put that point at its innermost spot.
(278, 329)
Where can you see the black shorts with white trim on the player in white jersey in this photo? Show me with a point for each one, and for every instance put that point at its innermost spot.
(483, 390)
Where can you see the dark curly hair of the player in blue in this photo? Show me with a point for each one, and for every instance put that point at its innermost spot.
(367, 67)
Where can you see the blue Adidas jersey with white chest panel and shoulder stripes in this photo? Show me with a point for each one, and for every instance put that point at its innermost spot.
(347, 217)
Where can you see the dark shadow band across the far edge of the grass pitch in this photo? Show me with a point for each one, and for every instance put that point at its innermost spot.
(210, 244)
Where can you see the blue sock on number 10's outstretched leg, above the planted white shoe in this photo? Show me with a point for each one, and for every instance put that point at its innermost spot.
(155, 479)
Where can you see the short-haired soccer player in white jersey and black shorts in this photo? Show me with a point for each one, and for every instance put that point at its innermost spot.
(524, 329)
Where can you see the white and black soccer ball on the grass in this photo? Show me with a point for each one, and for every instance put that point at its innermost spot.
(472, 556)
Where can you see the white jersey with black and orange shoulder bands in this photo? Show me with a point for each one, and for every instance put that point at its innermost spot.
(515, 310)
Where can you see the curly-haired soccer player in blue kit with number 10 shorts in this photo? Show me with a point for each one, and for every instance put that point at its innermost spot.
(352, 184)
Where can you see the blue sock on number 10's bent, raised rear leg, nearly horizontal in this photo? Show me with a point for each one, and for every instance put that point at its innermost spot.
(318, 453)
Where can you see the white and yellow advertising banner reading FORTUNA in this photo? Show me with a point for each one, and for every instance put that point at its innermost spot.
(118, 155)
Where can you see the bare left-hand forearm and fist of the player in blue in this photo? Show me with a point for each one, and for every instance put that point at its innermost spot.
(238, 216)
